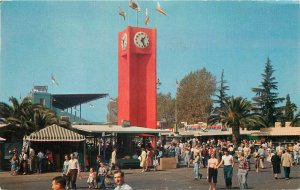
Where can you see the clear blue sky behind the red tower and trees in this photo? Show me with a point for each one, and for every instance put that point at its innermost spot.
(77, 42)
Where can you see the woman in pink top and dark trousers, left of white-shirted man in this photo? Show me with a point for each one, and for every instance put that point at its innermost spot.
(212, 172)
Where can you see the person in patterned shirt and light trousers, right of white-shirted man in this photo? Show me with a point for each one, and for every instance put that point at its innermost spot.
(243, 169)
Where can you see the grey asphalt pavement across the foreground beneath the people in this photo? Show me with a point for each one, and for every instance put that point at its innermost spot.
(172, 179)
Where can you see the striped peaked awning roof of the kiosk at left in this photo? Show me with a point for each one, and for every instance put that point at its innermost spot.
(55, 133)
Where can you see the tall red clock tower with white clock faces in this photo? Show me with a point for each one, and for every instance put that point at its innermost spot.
(137, 77)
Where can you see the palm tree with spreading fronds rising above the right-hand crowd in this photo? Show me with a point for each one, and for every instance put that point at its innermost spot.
(236, 113)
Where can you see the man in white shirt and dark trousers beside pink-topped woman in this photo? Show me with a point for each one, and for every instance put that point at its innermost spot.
(228, 162)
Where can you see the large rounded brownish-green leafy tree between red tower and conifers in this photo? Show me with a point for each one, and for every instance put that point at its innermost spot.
(194, 103)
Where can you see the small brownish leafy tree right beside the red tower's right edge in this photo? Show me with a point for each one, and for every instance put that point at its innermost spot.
(165, 109)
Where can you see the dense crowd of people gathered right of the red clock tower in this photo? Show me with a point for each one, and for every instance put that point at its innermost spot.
(214, 153)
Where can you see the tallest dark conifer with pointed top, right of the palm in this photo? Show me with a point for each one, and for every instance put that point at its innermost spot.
(266, 98)
